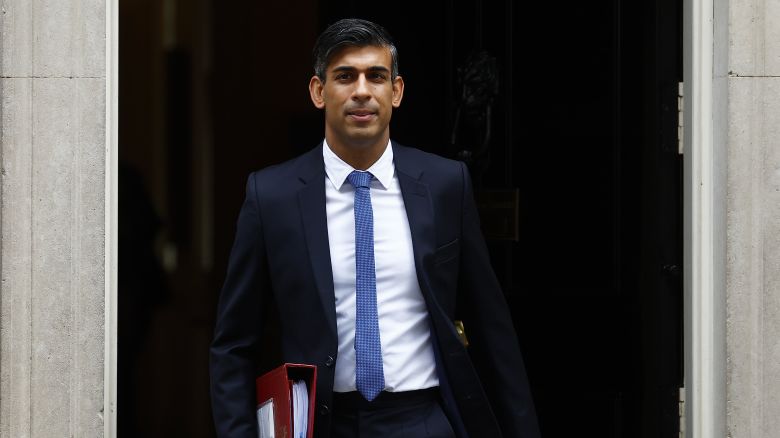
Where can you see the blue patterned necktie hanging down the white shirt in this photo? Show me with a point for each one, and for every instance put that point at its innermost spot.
(369, 376)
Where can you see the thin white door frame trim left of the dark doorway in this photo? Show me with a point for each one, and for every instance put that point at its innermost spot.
(111, 214)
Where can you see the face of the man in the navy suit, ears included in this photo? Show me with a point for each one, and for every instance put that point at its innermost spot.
(358, 95)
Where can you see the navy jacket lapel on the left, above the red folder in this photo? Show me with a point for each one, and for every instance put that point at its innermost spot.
(311, 200)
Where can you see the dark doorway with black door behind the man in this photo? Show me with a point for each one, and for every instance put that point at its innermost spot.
(579, 184)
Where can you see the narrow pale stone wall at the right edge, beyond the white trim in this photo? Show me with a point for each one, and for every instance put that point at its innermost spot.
(753, 219)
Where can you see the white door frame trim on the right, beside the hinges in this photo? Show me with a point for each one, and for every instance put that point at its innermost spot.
(704, 303)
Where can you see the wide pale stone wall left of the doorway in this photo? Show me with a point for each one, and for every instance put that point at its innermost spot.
(53, 147)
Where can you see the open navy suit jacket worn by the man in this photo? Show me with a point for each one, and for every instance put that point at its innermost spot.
(280, 262)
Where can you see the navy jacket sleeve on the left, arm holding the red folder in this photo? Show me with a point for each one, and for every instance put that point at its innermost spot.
(238, 327)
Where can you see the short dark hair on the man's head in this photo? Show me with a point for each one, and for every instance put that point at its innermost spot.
(351, 32)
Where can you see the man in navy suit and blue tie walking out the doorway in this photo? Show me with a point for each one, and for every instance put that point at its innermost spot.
(366, 250)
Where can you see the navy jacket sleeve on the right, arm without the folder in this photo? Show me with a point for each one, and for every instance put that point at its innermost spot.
(493, 342)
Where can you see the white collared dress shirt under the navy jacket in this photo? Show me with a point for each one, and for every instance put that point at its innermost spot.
(407, 353)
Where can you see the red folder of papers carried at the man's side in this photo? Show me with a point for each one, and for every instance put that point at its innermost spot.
(277, 385)
